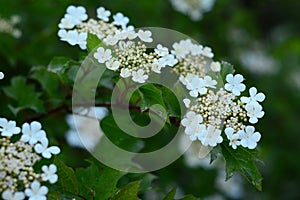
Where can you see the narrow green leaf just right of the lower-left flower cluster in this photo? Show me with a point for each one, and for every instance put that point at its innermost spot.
(67, 181)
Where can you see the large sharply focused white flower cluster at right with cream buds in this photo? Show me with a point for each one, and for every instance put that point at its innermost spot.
(213, 107)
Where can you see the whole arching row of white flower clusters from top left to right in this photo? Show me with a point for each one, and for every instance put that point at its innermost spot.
(217, 112)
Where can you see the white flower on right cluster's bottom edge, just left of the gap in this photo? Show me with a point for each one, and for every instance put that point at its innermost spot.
(212, 137)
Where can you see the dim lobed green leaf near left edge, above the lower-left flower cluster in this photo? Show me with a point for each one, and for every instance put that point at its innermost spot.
(25, 96)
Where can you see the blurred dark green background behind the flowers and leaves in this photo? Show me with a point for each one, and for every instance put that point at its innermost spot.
(261, 39)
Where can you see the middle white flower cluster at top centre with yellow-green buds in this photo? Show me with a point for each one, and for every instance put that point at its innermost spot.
(131, 58)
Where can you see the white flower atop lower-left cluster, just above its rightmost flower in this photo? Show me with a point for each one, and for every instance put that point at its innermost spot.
(32, 133)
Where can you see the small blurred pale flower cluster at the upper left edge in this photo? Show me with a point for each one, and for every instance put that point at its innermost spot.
(8, 26)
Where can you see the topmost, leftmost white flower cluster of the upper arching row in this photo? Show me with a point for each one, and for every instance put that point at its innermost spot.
(74, 29)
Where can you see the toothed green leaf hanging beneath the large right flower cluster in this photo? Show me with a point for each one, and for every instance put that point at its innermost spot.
(242, 160)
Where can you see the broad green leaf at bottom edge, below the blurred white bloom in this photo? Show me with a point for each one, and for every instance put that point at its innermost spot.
(97, 181)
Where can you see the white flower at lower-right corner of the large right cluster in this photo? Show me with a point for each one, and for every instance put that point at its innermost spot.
(249, 137)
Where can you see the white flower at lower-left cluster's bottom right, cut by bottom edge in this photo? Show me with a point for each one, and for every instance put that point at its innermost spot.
(36, 192)
